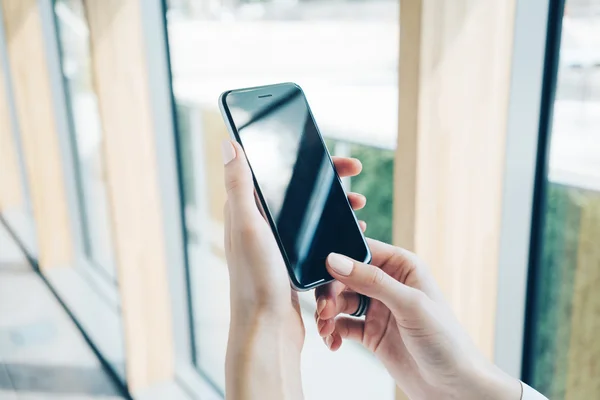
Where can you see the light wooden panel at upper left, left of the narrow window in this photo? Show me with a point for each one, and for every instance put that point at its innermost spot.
(33, 101)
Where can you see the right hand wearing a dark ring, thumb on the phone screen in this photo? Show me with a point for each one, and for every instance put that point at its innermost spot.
(408, 326)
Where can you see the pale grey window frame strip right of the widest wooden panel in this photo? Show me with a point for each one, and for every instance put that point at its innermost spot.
(518, 203)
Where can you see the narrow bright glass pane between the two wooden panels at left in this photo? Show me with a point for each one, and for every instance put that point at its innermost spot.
(86, 135)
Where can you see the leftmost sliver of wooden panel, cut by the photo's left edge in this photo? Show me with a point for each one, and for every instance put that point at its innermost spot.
(11, 194)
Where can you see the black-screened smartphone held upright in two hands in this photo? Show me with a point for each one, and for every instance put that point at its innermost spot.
(295, 181)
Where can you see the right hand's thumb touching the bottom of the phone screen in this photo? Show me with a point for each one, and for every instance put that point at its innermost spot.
(375, 283)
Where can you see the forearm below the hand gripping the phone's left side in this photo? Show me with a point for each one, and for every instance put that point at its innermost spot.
(261, 362)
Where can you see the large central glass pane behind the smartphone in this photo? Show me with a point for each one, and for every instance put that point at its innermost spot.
(344, 54)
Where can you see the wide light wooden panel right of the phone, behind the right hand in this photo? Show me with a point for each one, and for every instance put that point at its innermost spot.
(454, 78)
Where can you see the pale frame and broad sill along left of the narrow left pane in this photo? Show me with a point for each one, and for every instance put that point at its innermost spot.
(68, 282)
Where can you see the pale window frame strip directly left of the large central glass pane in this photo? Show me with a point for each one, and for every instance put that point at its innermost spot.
(170, 179)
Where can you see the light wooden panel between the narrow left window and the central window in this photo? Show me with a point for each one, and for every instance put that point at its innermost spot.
(122, 86)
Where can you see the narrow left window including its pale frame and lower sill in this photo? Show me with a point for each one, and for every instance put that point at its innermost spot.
(90, 288)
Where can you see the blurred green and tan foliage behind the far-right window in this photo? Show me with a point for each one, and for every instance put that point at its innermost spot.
(566, 248)
